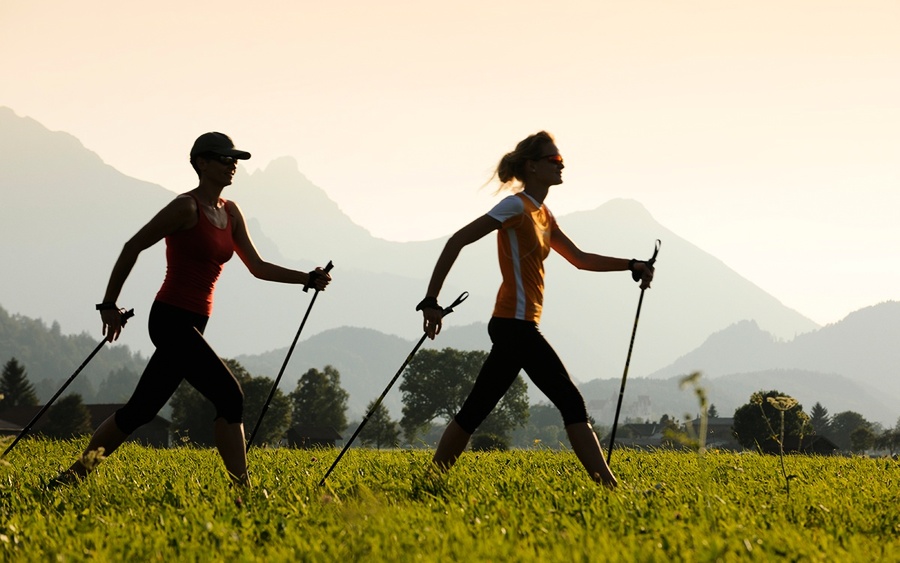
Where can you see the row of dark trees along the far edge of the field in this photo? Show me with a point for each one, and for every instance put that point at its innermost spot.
(435, 384)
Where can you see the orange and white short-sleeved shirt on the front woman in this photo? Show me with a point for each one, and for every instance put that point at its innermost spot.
(523, 242)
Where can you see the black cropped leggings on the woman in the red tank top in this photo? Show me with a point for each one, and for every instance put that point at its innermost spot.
(181, 353)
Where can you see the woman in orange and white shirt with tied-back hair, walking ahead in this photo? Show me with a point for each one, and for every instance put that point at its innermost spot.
(527, 233)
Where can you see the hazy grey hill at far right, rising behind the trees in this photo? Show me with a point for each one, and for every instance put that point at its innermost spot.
(848, 365)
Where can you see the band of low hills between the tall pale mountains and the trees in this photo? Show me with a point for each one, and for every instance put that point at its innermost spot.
(367, 359)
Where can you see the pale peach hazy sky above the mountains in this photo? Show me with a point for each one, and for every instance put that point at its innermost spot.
(766, 132)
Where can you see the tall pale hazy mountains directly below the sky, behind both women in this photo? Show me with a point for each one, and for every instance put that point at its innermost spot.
(65, 215)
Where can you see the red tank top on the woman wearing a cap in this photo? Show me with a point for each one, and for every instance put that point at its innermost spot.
(194, 260)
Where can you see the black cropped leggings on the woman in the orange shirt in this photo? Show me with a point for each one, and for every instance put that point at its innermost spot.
(520, 345)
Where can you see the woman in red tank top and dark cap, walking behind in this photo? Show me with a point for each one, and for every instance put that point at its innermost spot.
(201, 231)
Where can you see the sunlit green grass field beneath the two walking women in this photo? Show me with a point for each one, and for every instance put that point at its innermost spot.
(539, 505)
